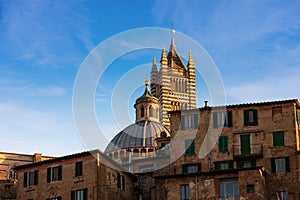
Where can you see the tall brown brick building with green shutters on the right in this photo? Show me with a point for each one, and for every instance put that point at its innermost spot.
(246, 151)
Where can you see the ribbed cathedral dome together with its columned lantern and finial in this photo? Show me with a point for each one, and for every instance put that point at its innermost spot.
(146, 134)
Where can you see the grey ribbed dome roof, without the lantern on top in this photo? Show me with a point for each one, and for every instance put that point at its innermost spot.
(138, 135)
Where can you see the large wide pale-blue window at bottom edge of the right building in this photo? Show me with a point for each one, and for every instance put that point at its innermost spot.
(229, 189)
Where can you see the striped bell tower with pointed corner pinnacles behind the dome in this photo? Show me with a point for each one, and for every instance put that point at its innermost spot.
(174, 84)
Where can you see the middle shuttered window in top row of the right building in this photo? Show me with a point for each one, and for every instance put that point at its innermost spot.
(222, 119)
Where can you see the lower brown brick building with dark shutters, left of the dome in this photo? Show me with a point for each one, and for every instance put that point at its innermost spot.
(81, 176)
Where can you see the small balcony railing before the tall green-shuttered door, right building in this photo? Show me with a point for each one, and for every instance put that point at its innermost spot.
(247, 151)
